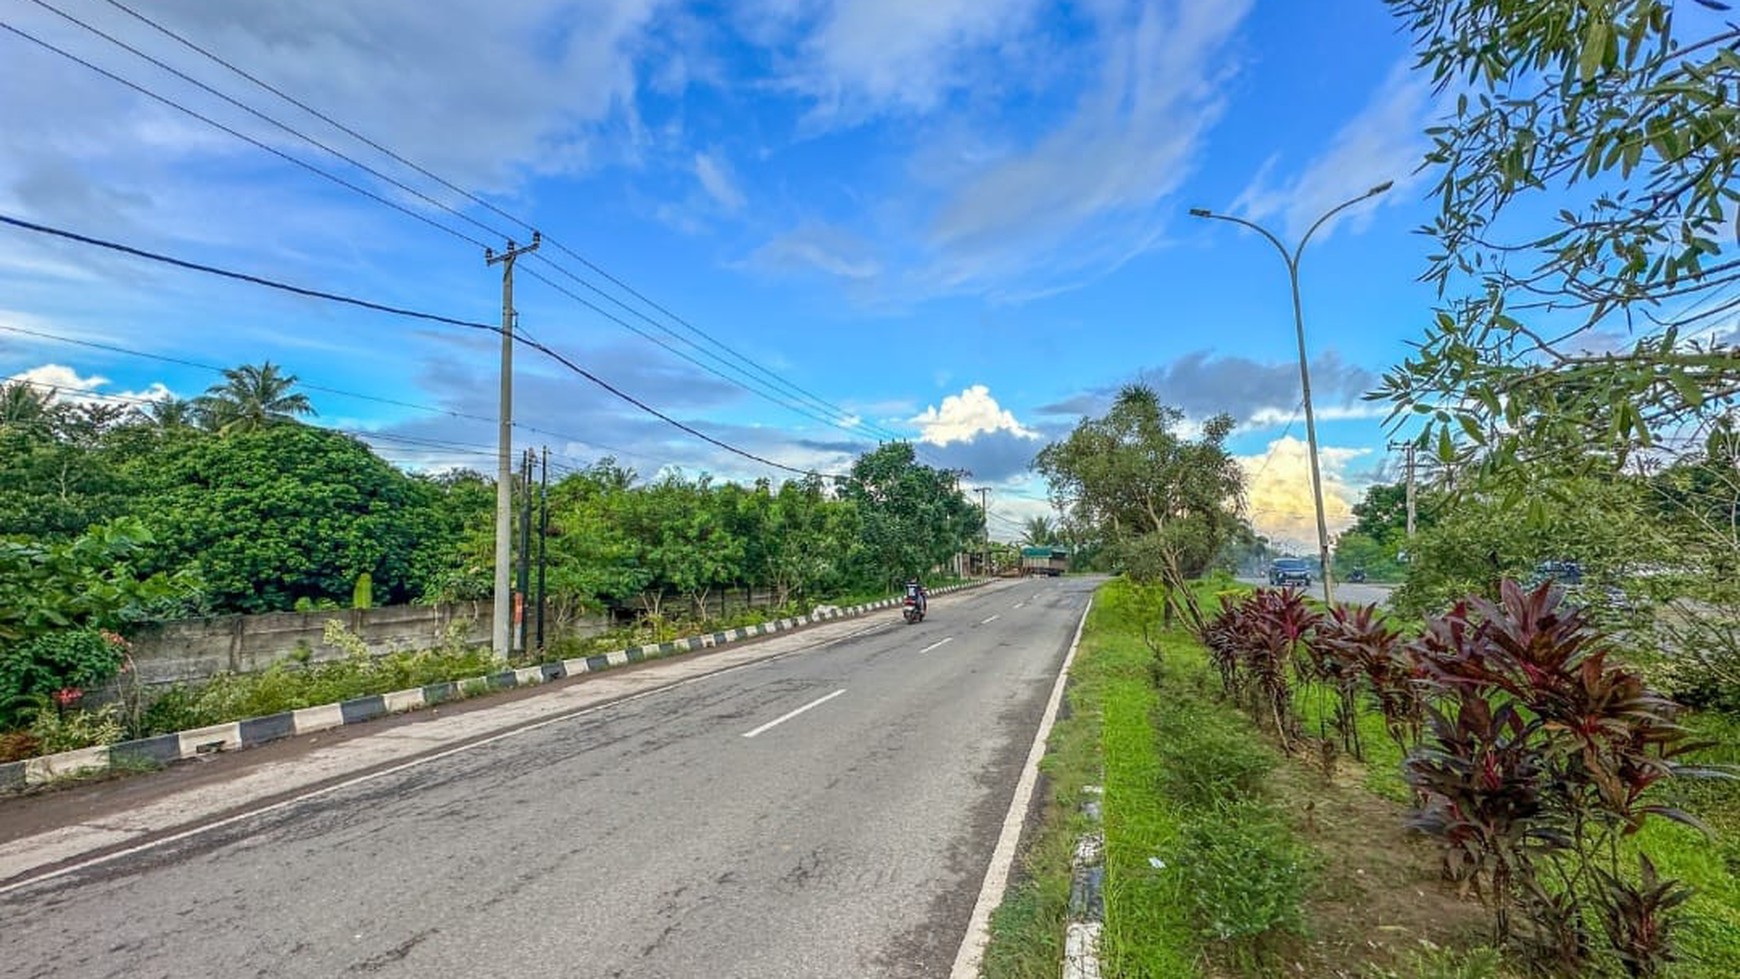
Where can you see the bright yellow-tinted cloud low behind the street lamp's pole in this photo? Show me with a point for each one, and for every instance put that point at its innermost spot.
(1280, 498)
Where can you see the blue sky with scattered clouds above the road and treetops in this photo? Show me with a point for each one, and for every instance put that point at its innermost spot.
(960, 222)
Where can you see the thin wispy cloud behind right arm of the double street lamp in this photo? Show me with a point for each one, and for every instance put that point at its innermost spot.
(1386, 142)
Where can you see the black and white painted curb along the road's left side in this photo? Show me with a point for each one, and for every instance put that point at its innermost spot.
(170, 749)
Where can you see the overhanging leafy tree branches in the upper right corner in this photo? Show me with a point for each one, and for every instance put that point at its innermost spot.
(1586, 330)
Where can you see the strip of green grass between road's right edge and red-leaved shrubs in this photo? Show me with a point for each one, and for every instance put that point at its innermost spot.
(1201, 869)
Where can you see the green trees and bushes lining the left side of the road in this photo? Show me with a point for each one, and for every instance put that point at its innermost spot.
(232, 505)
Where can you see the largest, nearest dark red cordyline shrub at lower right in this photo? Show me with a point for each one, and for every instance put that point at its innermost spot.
(1541, 754)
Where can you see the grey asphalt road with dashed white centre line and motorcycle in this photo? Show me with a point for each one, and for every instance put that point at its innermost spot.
(826, 813)
